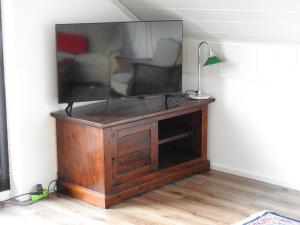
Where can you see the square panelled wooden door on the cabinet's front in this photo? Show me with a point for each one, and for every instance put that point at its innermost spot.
(134, 152)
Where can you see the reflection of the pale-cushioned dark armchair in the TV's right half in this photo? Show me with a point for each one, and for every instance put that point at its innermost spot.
(160, 74)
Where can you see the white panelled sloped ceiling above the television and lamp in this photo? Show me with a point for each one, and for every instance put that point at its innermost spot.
(236, 20)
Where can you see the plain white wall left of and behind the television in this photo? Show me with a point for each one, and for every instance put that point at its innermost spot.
(30, 76)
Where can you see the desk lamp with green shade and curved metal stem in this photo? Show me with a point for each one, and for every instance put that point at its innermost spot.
(211, 60)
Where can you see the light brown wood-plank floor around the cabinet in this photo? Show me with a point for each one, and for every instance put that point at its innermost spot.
(210, 198)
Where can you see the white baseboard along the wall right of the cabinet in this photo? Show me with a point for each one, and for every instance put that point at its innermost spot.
(279, 182)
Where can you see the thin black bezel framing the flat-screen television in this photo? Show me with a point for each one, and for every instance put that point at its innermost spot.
(111, 97)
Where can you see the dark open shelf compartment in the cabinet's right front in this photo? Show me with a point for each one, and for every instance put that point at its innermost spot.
(179, 139)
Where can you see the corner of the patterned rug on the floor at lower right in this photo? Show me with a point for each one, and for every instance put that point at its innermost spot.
(268, 218)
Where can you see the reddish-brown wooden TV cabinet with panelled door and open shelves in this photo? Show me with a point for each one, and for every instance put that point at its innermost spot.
(110, 152)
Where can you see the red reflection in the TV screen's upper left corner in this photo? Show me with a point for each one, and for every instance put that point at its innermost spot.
(71, 43)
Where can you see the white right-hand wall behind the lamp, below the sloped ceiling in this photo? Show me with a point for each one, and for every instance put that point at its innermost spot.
(254, 123)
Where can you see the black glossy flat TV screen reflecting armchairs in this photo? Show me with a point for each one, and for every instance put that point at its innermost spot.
(97, 61)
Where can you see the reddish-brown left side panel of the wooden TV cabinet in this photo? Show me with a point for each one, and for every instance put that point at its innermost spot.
(80, 155)
